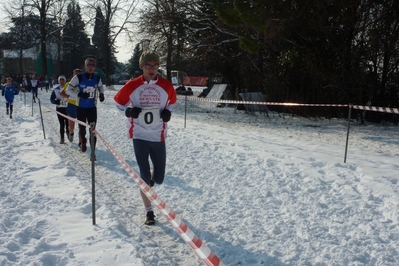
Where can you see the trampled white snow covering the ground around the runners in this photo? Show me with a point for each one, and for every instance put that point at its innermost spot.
(256, 190)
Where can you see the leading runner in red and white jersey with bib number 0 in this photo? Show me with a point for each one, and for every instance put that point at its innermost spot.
(147, 101)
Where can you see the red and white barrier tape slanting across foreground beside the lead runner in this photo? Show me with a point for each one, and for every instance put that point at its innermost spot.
(199, 247)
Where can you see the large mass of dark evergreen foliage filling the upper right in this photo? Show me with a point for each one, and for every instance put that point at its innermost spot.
(318, 51)
